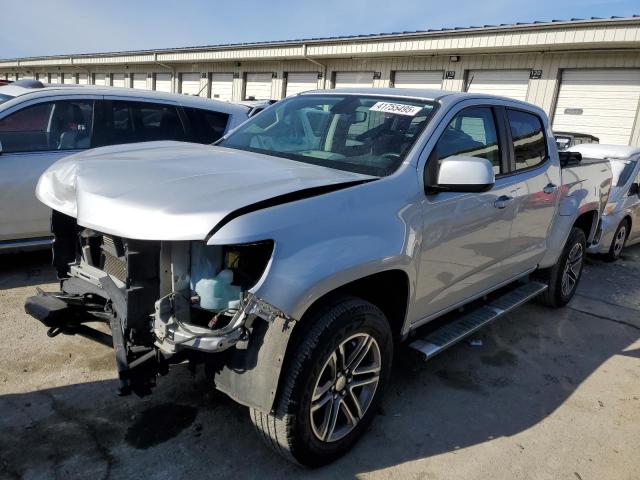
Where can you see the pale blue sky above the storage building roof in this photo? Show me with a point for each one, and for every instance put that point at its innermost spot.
(58, 27)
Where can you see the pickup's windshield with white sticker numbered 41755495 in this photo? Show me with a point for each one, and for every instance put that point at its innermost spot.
(357, 133)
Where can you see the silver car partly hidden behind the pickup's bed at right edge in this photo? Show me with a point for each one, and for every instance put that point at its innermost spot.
(621, 217)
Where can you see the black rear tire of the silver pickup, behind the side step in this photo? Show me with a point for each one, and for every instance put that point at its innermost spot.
(556, 296)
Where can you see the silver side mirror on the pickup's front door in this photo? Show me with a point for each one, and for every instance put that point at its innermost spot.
(464, 174)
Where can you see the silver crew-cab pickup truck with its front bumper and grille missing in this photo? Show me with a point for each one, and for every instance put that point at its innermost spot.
(293, 257)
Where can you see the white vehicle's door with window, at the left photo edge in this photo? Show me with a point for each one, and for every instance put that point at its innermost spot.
(34, 135)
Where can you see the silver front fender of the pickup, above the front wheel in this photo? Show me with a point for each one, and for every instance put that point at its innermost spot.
(327, 241)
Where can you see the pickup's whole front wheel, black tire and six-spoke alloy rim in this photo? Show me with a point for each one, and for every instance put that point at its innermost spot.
(332, 385)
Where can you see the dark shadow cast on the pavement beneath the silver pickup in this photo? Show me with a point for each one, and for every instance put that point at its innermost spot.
(530, 363)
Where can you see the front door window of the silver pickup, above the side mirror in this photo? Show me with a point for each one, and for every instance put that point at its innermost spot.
(472, 132)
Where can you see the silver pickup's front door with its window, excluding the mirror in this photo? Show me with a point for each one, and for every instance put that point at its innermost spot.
(466, 236)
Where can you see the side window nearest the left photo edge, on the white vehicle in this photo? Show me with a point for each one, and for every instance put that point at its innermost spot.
(61, 125)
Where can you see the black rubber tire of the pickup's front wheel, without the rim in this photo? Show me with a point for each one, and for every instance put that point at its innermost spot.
(289, 429)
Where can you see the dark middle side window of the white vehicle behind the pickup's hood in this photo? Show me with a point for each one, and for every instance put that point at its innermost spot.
(131, 122)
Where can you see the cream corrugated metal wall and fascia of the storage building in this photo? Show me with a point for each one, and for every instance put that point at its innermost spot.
(383, 59)
